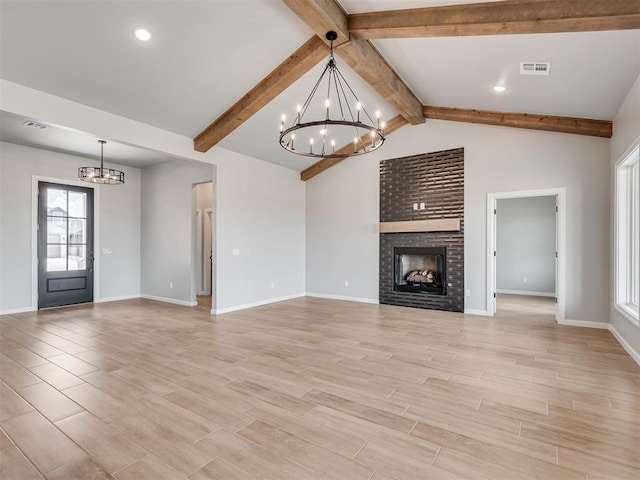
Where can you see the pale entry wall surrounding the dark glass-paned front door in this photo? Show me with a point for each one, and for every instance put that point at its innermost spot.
(117, 222)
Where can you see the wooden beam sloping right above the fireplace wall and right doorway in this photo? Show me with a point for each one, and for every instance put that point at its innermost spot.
(549, 123)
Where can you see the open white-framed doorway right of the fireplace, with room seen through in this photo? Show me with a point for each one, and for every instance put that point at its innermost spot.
(526, 251)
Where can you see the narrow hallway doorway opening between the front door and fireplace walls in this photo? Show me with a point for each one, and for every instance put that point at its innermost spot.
(203, 242)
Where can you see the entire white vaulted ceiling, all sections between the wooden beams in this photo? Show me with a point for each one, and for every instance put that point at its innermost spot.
(206, 54)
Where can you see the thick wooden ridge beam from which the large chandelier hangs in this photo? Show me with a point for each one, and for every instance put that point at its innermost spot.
(360, 55)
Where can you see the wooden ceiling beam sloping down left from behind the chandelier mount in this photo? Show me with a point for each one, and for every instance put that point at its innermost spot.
(294, 67)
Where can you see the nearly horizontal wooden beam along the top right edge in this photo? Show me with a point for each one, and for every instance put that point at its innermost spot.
(496, 18)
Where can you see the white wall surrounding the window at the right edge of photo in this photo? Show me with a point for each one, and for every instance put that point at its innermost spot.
(626, 131)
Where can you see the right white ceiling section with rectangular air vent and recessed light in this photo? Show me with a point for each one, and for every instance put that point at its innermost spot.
(591, 72)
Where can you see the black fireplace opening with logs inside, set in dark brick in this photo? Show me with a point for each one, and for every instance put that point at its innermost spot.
(420, 269)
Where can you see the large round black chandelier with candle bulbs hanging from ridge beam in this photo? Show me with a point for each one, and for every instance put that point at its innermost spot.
(356, 132)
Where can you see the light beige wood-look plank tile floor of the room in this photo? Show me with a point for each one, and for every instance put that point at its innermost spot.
(313, 389)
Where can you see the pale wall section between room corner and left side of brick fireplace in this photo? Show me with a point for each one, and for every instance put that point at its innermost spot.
(343, 211)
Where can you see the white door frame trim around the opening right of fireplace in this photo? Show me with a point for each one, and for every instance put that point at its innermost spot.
(561, 233)
